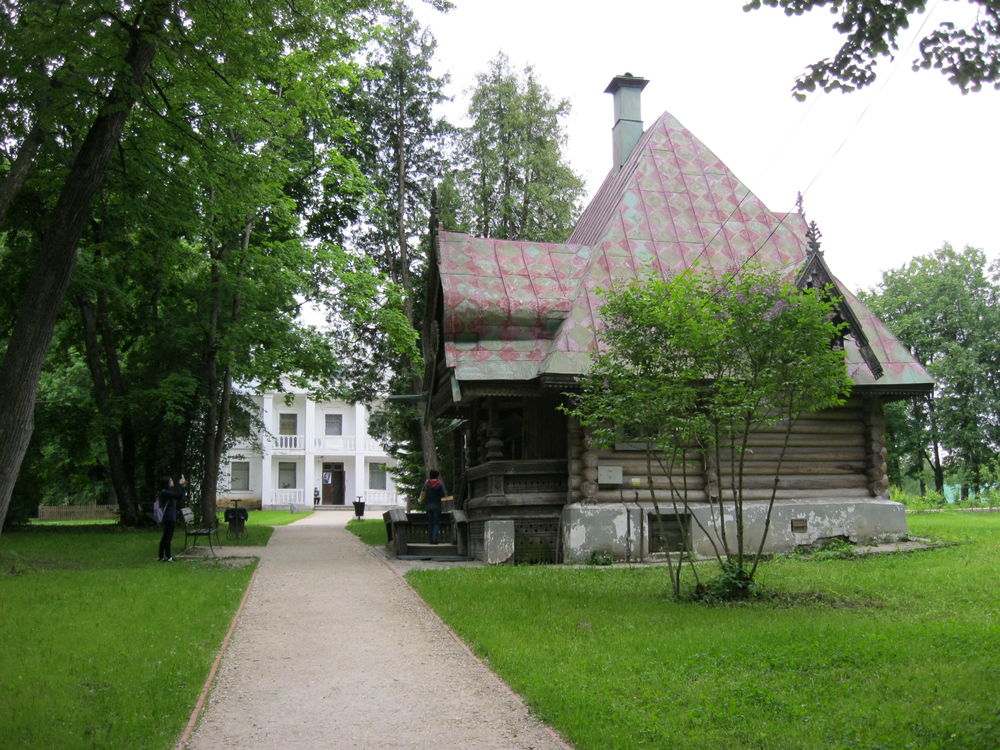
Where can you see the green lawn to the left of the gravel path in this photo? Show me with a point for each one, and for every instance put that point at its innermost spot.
(101, 646)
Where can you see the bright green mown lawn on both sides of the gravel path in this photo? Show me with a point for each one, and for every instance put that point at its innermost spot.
(105, 647)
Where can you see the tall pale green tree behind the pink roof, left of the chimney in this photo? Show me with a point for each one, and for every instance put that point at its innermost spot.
(511, 180)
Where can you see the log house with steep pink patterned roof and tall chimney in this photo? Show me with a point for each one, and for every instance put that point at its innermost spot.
(510, 325)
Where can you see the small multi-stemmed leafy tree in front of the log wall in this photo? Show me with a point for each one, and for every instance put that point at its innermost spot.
(692, 367)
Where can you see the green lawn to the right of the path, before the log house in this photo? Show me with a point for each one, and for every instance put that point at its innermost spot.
(890, 651)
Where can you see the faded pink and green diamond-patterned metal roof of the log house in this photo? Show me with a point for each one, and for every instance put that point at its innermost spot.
(517, 310)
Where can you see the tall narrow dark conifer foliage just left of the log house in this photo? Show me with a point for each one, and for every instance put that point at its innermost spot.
(404, 157)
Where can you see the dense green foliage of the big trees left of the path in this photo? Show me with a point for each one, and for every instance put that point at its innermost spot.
(223, 212)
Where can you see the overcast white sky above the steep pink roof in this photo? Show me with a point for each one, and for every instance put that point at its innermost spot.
(888, 173)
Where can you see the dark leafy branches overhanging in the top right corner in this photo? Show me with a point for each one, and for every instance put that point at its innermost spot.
(968, 56)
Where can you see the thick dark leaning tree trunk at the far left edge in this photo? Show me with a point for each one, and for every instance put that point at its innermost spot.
(39, 306)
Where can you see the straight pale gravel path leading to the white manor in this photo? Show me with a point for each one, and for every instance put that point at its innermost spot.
(334, 650)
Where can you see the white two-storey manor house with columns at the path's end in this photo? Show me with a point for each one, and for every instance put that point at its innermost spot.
(312, 453)
